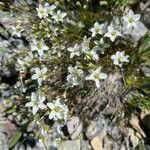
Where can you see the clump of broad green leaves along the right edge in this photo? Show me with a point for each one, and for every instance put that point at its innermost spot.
(136, 80)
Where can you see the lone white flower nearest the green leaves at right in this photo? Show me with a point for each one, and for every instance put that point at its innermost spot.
(119, 58)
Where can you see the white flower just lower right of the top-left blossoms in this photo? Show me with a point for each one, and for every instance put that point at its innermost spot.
(59, 16)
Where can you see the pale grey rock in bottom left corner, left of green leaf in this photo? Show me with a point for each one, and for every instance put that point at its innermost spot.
(3, 139)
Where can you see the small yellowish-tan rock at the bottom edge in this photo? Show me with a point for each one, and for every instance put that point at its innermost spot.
(96, 143)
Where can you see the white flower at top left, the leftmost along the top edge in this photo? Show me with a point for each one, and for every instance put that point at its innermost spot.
(42, 11)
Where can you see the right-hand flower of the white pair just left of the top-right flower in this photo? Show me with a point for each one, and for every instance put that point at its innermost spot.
(112, 33)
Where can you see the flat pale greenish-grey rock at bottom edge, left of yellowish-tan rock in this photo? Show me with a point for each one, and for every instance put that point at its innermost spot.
(69, 145)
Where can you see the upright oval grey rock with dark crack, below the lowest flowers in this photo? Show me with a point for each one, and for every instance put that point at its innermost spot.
(74, 126)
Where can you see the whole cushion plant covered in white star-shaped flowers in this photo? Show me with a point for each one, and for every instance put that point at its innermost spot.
(71, 48)
